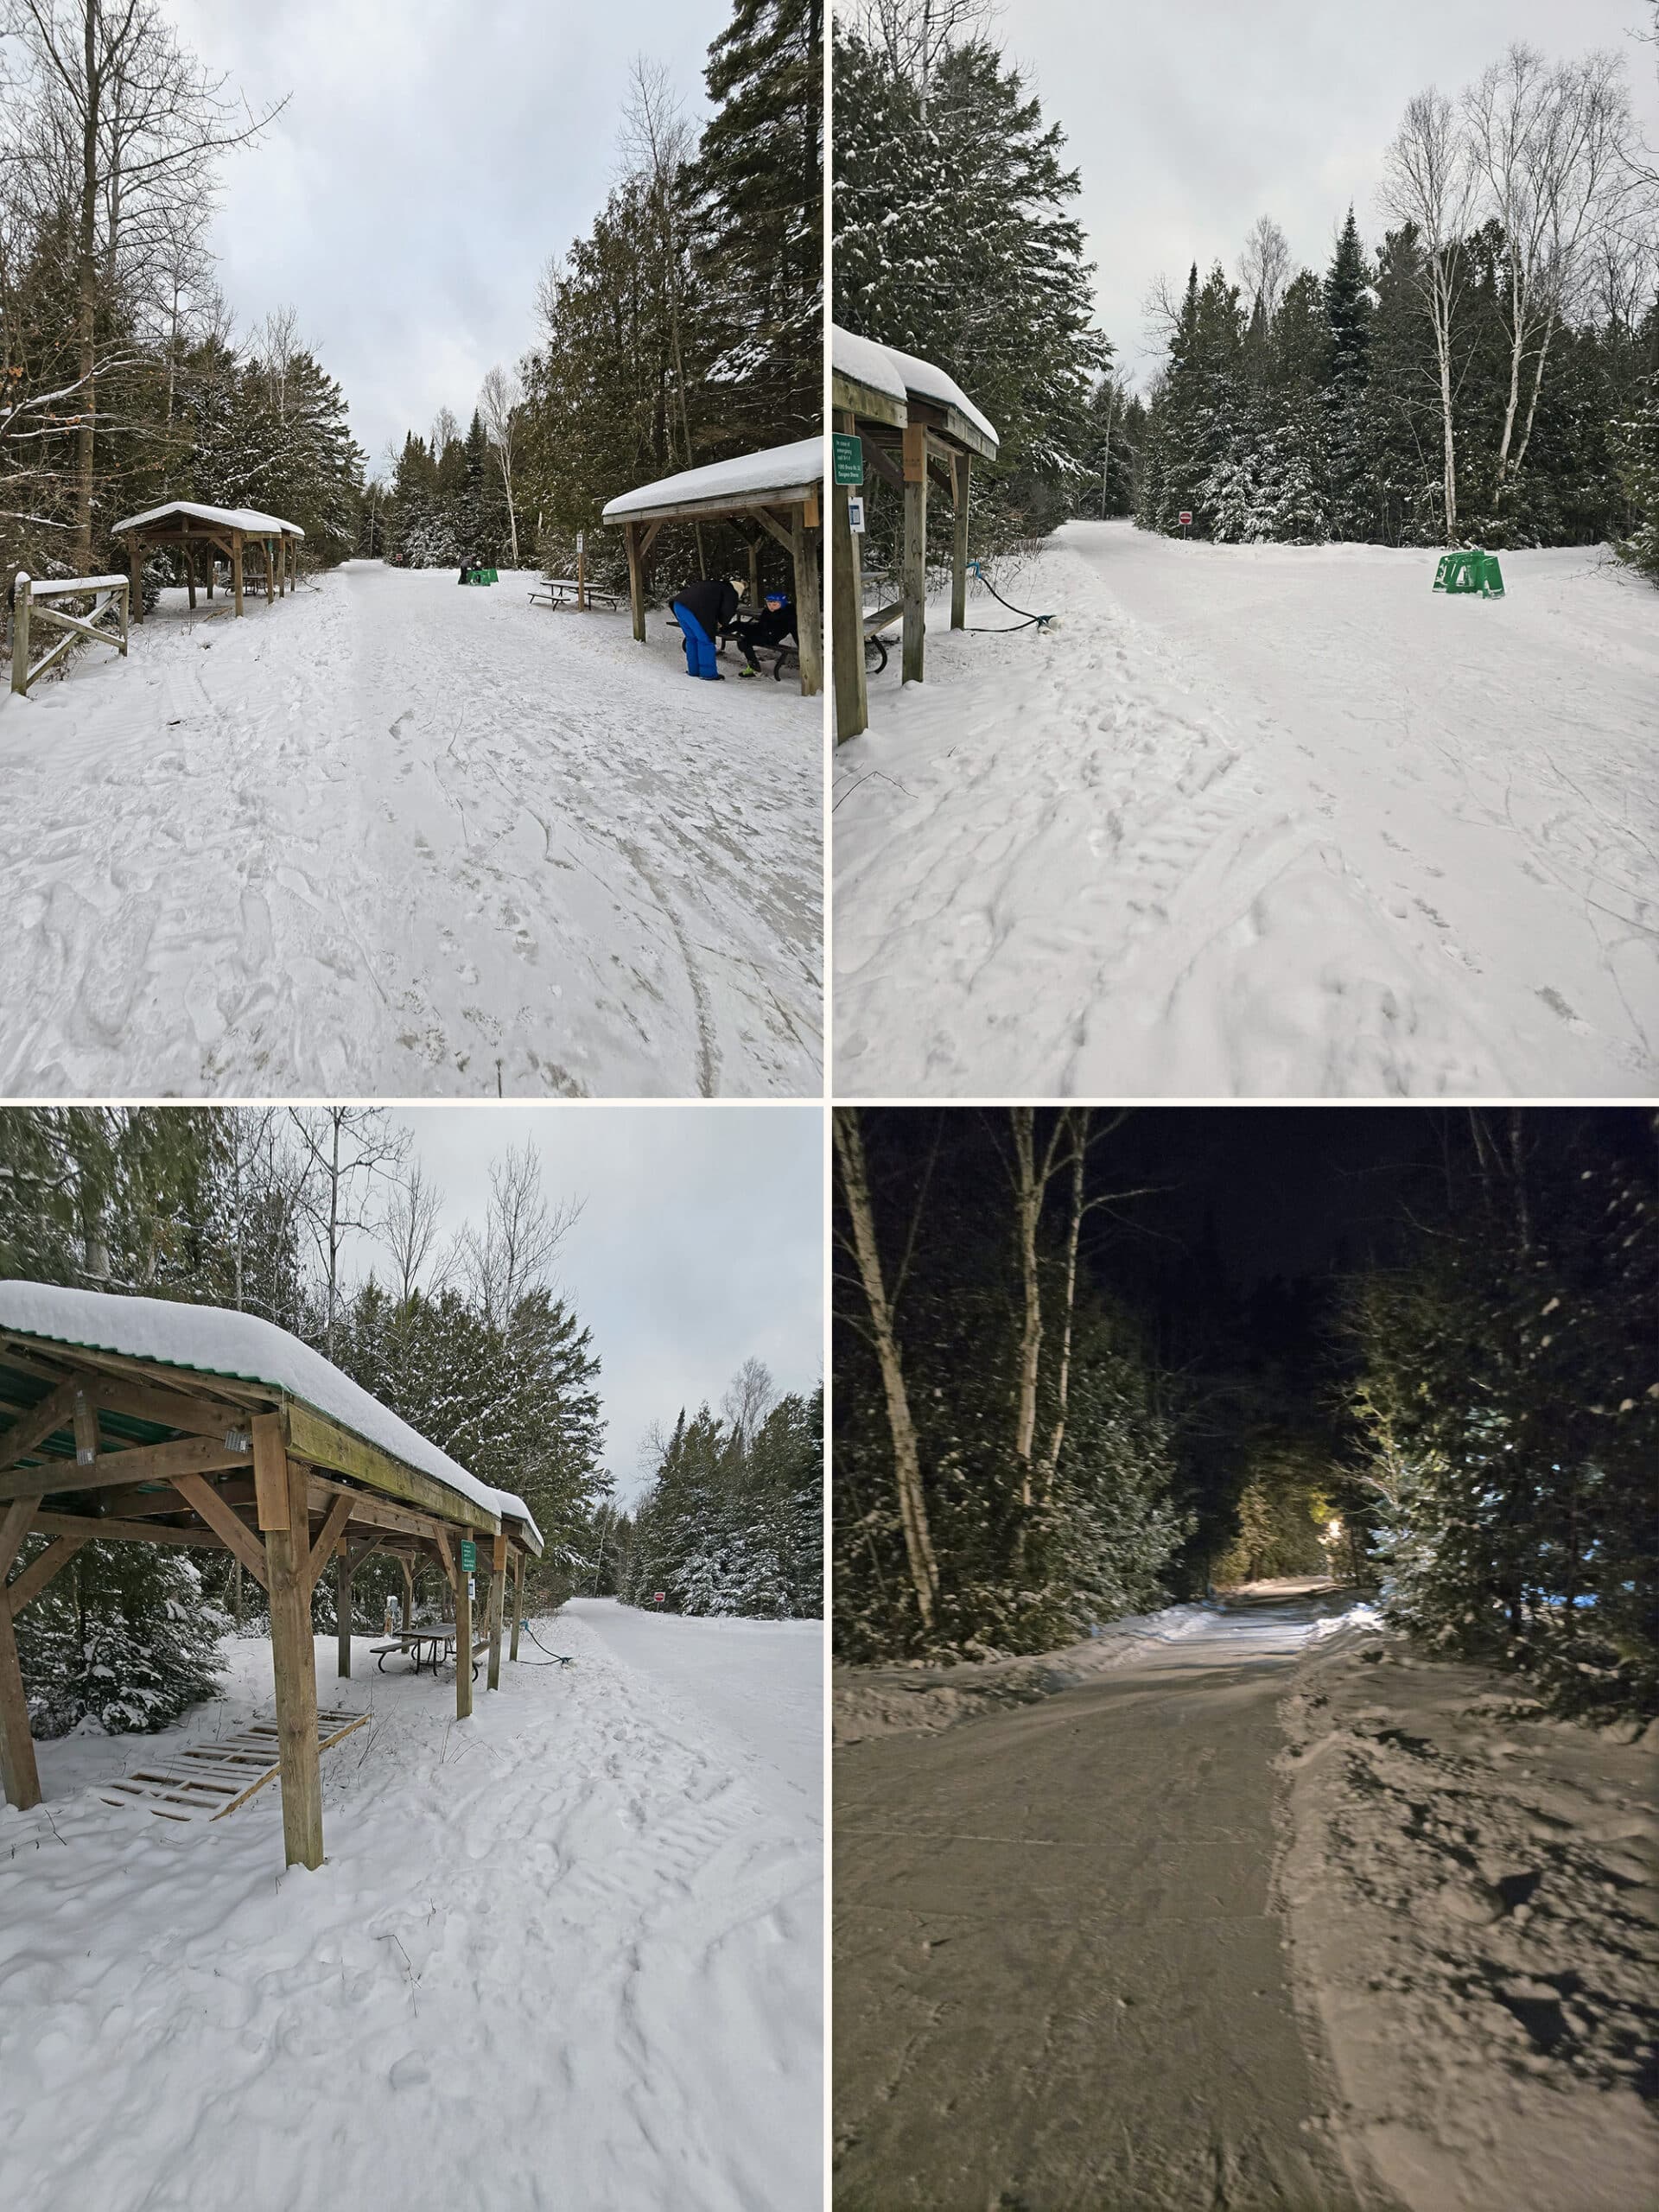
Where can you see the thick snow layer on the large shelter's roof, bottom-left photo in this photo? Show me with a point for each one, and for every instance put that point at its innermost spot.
(242, 1348)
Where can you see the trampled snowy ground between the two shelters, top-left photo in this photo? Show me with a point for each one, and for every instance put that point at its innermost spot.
(397, 837)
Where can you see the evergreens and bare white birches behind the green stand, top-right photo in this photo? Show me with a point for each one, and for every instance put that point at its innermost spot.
(1488, 373)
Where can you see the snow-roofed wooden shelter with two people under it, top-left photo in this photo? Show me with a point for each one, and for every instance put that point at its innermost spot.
(778, 492)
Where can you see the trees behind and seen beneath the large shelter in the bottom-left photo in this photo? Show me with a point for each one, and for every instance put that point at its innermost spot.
(258, 1211)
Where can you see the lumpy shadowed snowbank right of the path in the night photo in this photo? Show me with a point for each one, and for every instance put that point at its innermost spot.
(1474, 1901)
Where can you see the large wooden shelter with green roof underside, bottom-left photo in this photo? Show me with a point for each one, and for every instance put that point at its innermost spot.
(156, 1423)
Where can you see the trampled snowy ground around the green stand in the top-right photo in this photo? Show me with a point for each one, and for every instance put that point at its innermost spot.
(1260, 822)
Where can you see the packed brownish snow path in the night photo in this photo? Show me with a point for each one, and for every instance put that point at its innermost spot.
(1058, 1979)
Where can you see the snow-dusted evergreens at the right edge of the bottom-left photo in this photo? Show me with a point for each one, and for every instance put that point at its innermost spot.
(731, 1521)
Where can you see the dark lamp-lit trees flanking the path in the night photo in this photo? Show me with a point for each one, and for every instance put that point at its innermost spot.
(1036, 1434)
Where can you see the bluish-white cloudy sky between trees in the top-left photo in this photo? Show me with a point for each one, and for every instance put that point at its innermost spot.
(432, 158)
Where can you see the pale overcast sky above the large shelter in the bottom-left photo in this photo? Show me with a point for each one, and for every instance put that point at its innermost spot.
(700, 1244)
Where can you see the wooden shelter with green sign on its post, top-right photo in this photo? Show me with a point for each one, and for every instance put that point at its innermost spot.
(917, 426)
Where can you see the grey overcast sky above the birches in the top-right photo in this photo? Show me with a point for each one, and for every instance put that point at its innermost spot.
(1196, 118)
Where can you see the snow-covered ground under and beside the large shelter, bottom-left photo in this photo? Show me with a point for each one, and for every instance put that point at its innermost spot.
(565, 1954)
